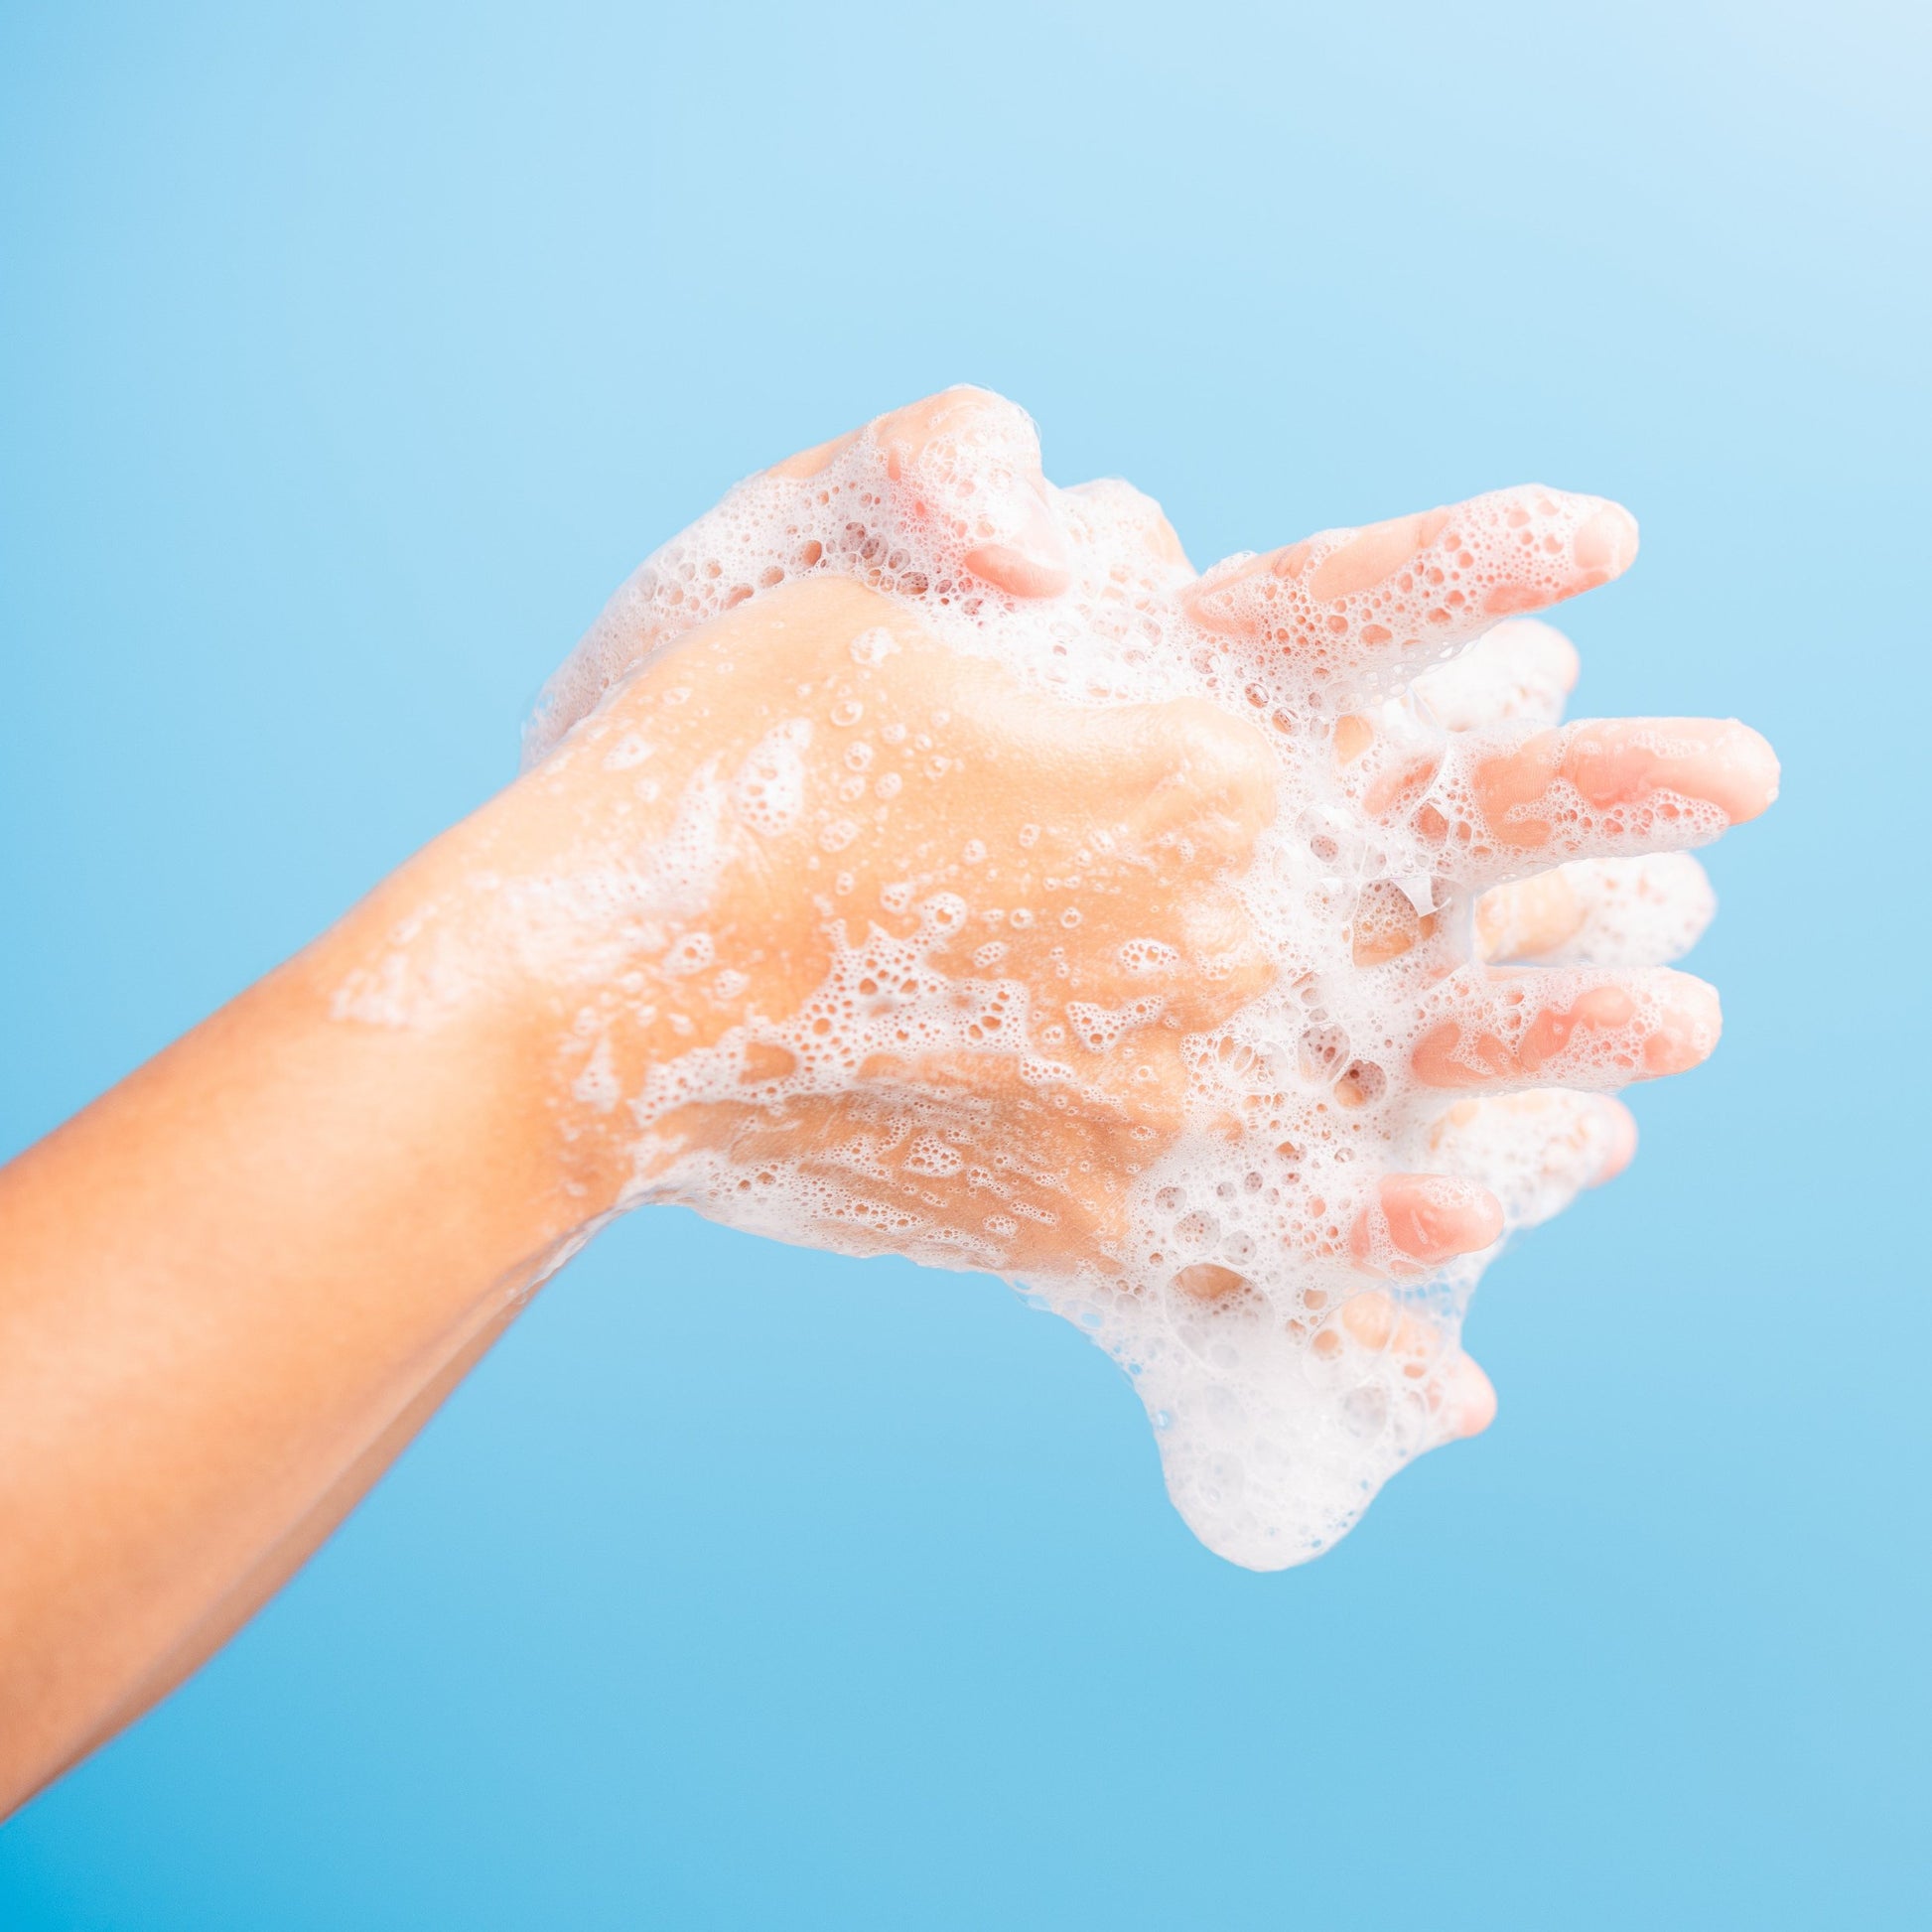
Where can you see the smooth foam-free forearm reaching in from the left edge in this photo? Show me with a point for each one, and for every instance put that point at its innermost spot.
(229, 1293)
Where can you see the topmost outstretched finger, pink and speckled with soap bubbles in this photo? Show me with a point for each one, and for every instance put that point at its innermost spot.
(1378, 606)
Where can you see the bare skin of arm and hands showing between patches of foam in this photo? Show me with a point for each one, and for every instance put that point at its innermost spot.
(235, 1288)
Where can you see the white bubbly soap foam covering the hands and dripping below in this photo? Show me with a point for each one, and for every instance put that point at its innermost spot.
(1224, 1288)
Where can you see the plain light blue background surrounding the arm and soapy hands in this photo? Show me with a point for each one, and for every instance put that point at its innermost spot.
(351, 358)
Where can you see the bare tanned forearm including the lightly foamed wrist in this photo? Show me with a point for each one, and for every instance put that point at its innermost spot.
(239, 1284)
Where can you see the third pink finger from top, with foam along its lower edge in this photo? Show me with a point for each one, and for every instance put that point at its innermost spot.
(1583, 1031)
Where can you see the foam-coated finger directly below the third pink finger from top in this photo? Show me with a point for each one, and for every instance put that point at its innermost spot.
(1539, 1151)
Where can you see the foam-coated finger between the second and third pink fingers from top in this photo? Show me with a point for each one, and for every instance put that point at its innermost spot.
(1643, 911)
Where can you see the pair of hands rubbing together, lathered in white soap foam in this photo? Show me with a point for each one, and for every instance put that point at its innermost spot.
(938, 865)
